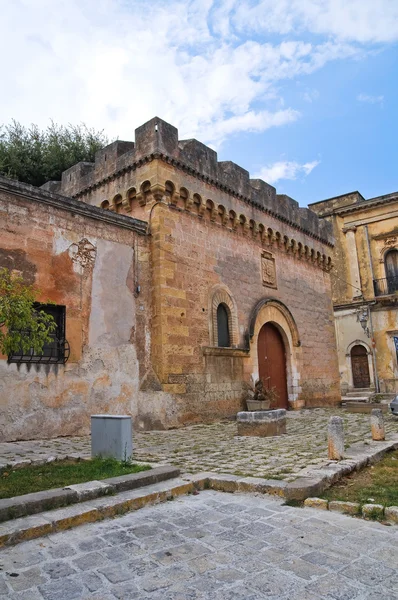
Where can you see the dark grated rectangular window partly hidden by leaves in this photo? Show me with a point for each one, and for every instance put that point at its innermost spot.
(54, 352)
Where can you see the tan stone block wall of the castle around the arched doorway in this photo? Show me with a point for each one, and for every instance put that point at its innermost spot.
(195, 258)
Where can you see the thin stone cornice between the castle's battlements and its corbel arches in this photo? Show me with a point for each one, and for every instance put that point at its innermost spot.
(182, 166)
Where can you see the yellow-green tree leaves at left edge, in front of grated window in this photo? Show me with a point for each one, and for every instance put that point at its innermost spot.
(22, 326)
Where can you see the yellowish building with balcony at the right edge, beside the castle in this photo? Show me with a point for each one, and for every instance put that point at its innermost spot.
(365, 289)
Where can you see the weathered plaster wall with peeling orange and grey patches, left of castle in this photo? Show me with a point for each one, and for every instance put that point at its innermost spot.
(107, 326)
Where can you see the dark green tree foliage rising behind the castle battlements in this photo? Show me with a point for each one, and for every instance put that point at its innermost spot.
(34, 156)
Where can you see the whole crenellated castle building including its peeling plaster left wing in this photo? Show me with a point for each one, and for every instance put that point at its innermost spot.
(178, 282)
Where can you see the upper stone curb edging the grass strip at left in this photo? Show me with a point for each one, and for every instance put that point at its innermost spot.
(38, 502)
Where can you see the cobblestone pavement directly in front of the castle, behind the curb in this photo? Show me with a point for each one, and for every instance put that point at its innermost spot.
(216, 447)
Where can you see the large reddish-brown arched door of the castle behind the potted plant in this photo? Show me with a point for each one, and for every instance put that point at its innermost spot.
(272, 362)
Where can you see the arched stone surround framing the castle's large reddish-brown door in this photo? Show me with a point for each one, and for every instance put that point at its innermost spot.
(270, 310)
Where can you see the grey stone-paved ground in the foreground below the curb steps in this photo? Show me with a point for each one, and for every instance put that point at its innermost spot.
(210, 546)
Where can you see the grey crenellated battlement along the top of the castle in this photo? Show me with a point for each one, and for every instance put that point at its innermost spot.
(157, 139)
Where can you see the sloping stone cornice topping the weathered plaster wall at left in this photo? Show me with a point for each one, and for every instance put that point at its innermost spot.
(30, 192)
